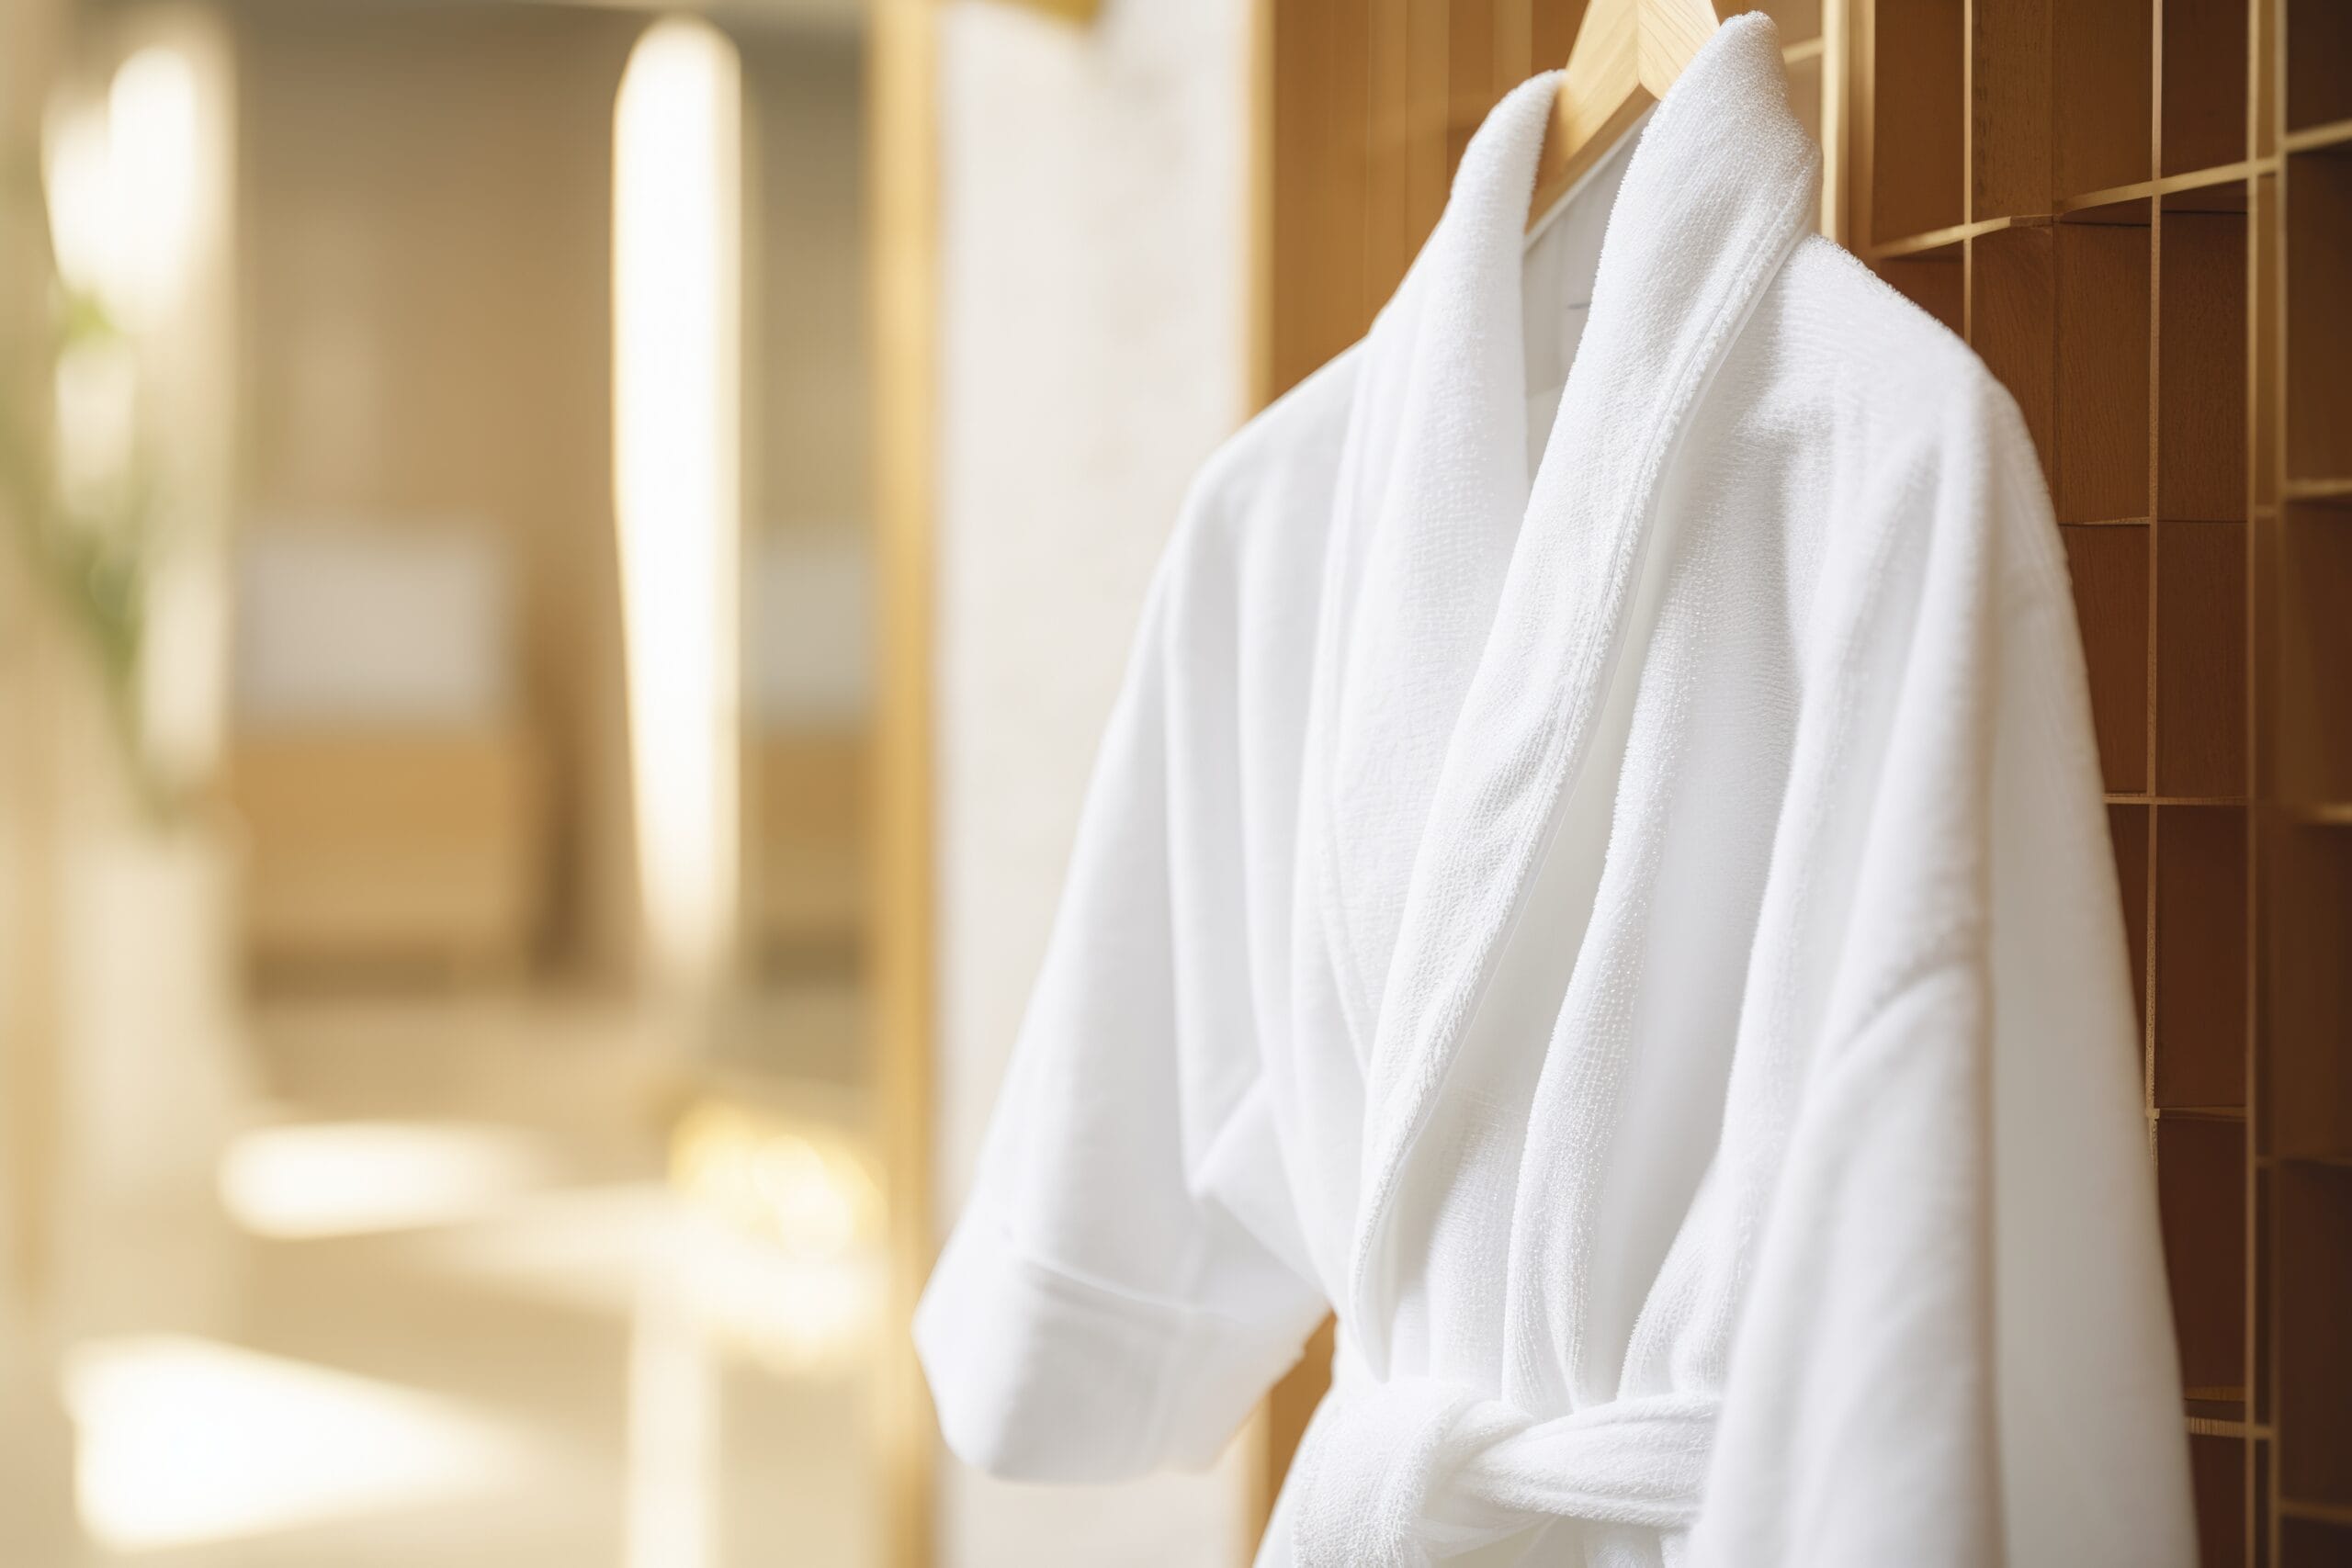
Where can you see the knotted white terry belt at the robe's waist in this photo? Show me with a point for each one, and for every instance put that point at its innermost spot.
(1403, 1475)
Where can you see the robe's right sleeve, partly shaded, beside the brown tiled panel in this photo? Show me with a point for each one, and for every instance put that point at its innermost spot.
(1956, 1346)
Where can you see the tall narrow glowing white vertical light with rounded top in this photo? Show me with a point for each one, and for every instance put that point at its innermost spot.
(679, 483)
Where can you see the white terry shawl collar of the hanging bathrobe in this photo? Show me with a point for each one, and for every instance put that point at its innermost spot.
(1481, 610)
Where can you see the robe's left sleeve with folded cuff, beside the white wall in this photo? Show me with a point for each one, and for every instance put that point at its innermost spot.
(1125, 1280)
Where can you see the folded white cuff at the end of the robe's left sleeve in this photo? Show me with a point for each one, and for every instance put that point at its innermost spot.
(1045, 1376)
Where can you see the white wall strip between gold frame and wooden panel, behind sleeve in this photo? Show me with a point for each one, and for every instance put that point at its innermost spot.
(1095, 321)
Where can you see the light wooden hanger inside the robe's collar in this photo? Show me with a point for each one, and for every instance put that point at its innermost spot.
(1624, 60)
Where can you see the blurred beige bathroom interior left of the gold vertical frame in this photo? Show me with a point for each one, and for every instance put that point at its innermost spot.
(439, 699)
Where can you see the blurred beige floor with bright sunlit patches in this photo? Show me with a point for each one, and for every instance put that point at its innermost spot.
(488, 1282)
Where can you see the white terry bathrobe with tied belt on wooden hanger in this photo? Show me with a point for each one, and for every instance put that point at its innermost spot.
(1631, 932)
